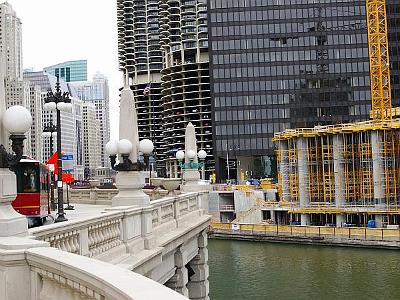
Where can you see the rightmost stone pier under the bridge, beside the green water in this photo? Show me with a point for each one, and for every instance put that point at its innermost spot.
(198, 285)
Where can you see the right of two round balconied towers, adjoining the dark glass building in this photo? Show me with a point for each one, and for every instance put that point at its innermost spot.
(185, 76)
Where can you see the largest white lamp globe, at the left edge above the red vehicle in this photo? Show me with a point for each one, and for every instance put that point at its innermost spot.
(17, 119)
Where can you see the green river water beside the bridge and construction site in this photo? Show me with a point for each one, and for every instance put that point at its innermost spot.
(255, 270)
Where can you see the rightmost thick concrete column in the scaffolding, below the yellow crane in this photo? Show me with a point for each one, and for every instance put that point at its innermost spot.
(378, 167)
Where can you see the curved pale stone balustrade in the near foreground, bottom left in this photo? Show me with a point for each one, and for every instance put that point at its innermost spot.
(32, 270)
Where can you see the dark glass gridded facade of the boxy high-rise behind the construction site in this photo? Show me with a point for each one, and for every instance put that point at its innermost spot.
(279, 64)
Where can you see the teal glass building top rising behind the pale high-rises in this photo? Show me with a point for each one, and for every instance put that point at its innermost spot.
(74, 70)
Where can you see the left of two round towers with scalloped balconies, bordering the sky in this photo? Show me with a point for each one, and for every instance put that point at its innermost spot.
(140, 56)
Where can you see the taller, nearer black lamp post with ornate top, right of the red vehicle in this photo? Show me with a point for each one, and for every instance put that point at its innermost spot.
(59, 101)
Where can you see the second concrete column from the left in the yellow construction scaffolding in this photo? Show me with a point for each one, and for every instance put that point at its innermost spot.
(303, 173)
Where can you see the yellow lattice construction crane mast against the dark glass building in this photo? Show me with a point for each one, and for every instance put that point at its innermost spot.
(379, 60)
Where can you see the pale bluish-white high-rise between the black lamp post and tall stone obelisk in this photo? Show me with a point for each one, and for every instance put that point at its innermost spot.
(97, 92)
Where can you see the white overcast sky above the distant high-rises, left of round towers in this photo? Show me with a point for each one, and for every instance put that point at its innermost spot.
(54, 31)
